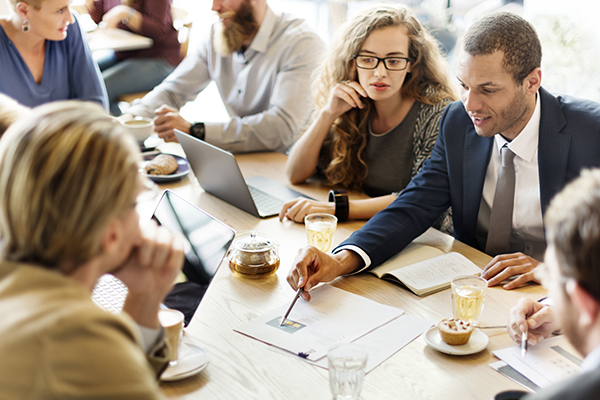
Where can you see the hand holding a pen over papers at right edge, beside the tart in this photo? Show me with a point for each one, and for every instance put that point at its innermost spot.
(533, 318)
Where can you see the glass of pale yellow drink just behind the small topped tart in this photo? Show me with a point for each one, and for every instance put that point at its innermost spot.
(468, 294)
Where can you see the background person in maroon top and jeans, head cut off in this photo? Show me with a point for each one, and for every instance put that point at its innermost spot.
(137, 70)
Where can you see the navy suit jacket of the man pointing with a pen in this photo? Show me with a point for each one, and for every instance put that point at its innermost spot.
(569, 141)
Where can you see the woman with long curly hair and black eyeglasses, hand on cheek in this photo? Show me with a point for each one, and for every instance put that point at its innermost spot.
(379, 97)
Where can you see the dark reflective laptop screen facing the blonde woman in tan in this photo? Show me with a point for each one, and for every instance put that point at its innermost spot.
(206, 238)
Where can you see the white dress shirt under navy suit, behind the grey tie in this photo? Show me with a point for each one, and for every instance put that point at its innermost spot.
(527, 233)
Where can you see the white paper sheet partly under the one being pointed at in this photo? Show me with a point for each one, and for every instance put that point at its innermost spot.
(385, 341)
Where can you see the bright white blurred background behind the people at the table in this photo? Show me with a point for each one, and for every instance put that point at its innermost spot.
(569, 33)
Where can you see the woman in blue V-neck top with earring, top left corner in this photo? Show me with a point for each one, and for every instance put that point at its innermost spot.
(44, 55)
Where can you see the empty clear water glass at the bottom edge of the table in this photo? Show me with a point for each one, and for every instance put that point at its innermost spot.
(347, 364)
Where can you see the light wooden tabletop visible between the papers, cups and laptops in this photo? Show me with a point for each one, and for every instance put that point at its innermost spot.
(244, 368)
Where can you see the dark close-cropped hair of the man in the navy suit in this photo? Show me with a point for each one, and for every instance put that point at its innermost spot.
(512, 35)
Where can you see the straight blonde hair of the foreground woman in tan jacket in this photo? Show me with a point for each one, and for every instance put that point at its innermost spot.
(65, 173)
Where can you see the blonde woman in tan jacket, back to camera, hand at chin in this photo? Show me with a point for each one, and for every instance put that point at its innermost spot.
(68, 186)
